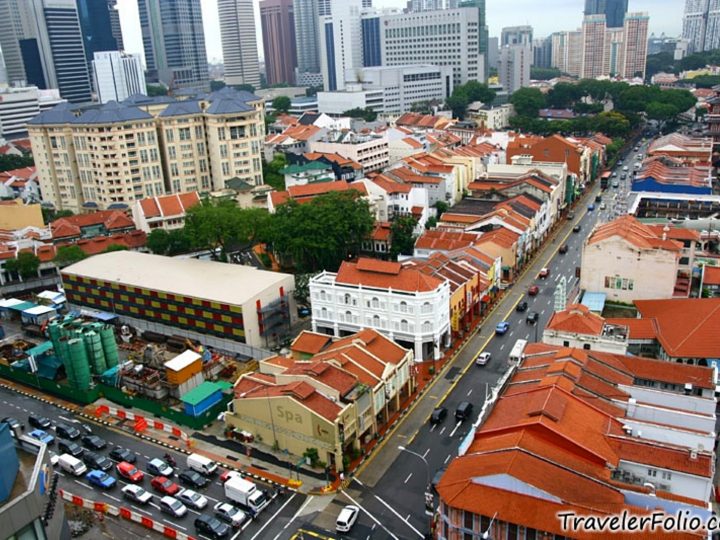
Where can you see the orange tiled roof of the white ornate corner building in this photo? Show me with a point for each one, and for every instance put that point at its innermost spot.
(385, 275)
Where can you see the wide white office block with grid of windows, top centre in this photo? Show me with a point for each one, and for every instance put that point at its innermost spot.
(448, 37)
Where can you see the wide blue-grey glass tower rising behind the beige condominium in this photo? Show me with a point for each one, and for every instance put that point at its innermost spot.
(174, 42)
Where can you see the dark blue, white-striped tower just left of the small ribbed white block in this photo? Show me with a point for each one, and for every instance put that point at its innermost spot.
(52, 48)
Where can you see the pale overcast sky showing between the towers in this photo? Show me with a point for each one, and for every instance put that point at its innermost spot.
(546, 16)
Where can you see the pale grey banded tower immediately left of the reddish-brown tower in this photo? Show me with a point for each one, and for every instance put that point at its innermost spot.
(237, 30)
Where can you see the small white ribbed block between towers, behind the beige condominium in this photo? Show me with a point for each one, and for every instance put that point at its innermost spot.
(117, 75)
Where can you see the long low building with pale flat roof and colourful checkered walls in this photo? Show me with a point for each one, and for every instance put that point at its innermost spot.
(230, 307)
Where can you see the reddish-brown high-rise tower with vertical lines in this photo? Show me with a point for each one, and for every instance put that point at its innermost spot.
(278, 27)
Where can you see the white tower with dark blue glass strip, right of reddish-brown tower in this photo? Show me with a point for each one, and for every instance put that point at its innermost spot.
(341, 44)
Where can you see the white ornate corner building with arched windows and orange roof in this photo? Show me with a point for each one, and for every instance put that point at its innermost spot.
(408, 306)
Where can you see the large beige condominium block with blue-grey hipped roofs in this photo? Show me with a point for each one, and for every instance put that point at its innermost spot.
(117, 153)
